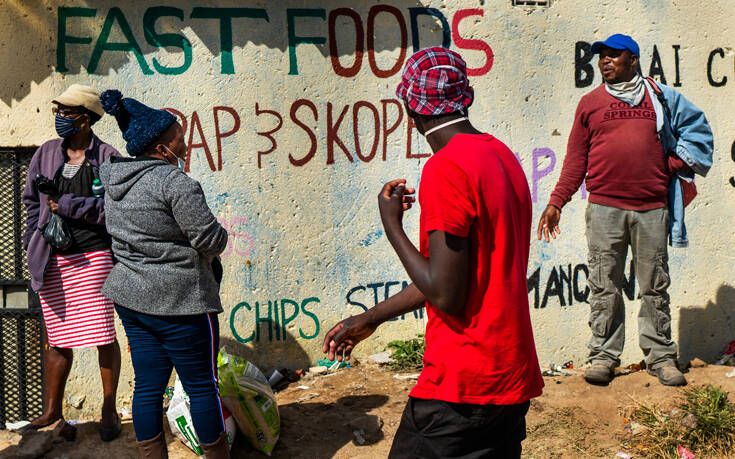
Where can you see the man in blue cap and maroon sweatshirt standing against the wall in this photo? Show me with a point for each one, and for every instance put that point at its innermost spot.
(637, 145)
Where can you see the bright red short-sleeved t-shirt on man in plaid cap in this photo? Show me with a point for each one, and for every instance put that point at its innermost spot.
(475, 188)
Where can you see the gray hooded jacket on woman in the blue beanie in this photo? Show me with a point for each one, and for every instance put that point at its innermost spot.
(164, 238)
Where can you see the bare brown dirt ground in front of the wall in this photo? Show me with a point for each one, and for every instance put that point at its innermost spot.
(571, 418)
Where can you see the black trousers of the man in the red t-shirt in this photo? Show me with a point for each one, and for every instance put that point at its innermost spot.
(437, 429)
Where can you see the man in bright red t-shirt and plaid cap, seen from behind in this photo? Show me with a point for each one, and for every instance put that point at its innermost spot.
(480, 364)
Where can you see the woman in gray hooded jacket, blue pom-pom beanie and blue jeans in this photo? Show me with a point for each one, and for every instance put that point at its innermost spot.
(165, 240)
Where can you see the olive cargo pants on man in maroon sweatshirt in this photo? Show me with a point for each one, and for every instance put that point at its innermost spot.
(609, 232)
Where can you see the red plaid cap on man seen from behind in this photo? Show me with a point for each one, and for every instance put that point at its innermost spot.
(434, 82)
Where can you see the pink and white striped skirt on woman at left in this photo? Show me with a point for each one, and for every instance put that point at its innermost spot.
(75, 312)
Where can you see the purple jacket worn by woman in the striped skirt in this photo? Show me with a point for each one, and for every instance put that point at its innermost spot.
(46, 161)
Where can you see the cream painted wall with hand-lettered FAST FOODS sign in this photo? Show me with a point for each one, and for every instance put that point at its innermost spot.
(292, 125)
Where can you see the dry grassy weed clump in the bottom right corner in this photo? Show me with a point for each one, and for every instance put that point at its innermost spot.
(704, 422)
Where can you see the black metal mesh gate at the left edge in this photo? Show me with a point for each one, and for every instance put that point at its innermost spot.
(21, 323)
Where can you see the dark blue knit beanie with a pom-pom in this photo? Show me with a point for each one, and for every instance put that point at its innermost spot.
(140, 124)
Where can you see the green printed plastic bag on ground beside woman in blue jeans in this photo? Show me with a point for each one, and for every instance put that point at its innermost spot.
(248, 396)
